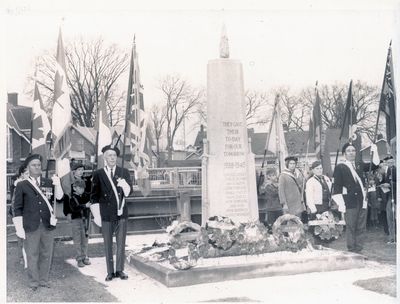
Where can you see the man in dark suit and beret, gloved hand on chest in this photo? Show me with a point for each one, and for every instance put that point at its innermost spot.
(111, 185)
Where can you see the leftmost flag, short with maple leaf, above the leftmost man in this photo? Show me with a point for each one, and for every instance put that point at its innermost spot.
(40, 126)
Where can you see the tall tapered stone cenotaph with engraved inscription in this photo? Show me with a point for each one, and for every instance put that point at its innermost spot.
(229, 176)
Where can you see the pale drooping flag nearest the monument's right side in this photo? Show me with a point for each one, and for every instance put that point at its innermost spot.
(276, 139)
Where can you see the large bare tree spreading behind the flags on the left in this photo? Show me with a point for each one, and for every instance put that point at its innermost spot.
(90, 66)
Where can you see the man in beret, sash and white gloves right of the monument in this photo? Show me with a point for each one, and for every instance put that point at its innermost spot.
(349, 194)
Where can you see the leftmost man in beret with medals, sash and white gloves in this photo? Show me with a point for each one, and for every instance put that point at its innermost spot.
(35, 219)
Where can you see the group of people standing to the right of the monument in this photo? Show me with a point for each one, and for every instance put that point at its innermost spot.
(361, 192)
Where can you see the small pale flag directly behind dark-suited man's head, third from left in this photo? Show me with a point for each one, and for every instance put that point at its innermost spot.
(102, 126)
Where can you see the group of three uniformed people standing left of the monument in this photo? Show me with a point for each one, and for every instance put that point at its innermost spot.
(32, 212)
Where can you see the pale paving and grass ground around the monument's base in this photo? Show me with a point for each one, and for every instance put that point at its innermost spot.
(73, 284)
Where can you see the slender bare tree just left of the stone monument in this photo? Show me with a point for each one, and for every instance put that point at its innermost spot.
(181, 101)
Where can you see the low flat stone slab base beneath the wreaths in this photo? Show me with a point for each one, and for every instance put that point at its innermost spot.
(248, 267)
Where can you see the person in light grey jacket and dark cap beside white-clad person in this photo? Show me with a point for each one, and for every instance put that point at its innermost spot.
(290, 188)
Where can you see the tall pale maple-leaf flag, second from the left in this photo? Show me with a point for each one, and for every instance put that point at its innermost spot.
(61, 117)
